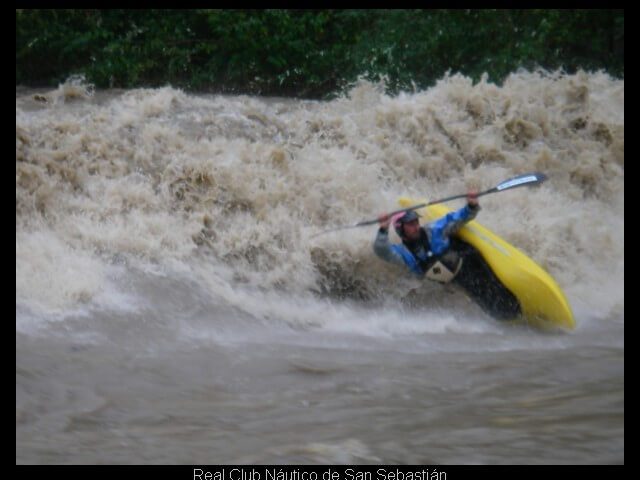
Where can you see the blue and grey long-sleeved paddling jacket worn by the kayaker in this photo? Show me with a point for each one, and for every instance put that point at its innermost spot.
(438, 234)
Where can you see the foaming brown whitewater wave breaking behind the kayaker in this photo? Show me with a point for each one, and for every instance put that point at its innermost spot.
(230, 190)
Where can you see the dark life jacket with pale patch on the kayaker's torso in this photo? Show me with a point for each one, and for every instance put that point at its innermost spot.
(421, 260)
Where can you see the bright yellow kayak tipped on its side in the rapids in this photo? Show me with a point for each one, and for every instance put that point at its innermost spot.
(542, 302)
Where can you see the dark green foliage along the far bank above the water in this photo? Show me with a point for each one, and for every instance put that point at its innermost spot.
(308, 53)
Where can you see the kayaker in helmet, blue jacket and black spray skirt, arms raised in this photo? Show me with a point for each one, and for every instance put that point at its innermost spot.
(432, 251)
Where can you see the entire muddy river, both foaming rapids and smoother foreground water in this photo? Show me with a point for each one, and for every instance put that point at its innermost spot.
(173, 304)
